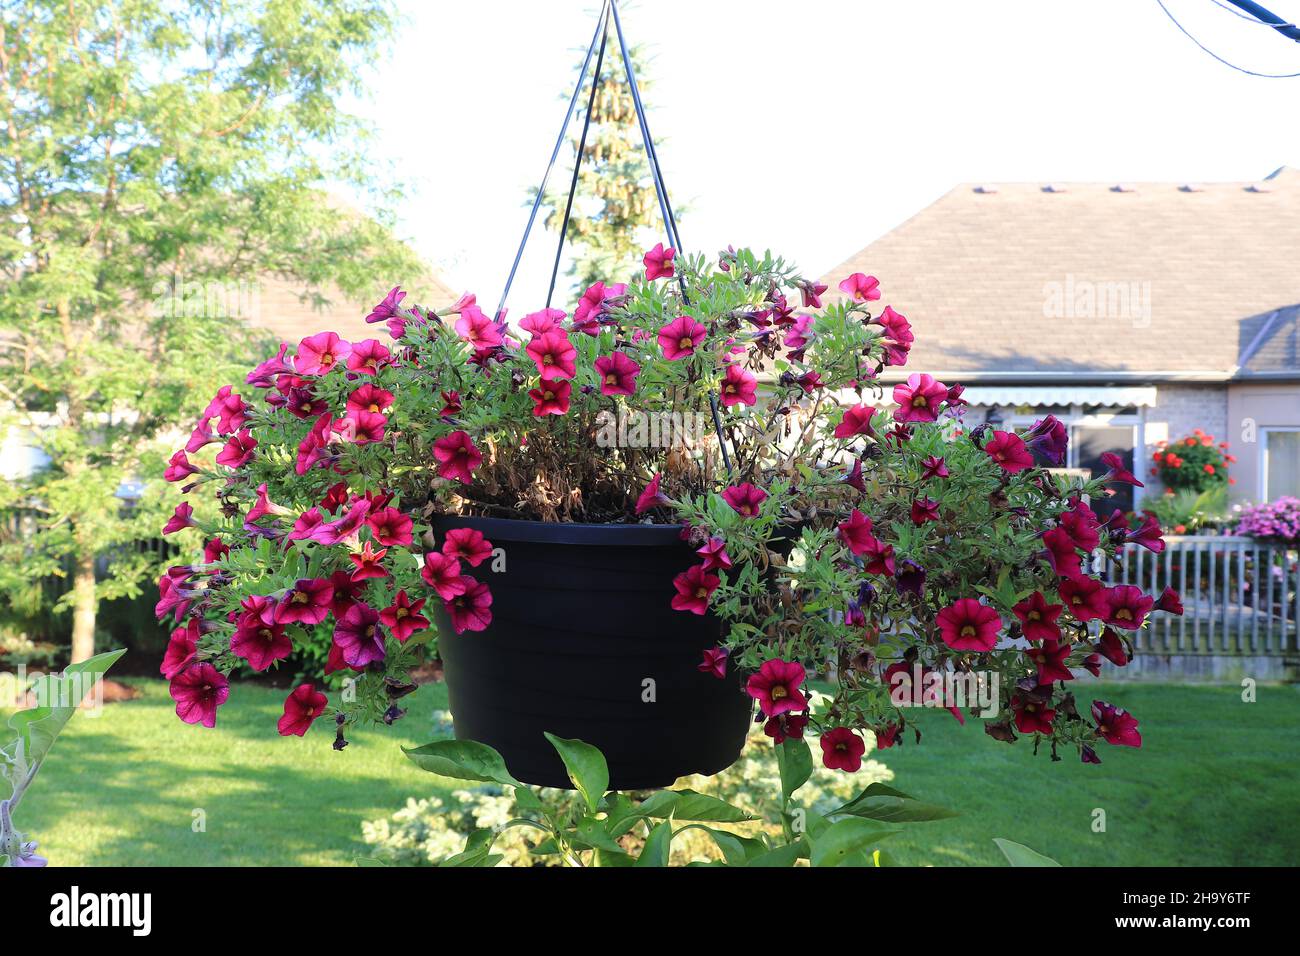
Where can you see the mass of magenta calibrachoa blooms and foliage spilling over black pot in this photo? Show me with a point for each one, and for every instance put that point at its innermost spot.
(323, 487)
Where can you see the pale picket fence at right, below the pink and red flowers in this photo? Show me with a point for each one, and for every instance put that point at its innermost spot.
(1240, 595)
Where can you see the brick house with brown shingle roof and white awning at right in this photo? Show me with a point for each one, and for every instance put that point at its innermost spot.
(1132, 313)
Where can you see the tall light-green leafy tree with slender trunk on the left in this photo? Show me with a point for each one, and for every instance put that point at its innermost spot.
(148, 146)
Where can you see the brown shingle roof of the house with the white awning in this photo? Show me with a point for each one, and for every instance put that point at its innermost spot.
(987, 276)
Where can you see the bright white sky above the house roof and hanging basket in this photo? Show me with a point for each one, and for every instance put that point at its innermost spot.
(814, 127)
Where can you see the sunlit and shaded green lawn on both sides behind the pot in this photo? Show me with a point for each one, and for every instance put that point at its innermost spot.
(1216, 782)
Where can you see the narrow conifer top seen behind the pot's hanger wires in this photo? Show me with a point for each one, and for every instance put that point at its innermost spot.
(616, 204)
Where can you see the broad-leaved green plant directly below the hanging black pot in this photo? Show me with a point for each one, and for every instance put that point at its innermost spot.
(596, 828)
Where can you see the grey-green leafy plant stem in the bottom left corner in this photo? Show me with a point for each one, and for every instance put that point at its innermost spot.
(37, 729)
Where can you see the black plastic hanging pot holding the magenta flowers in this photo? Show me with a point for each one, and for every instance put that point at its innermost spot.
(582, 624)
